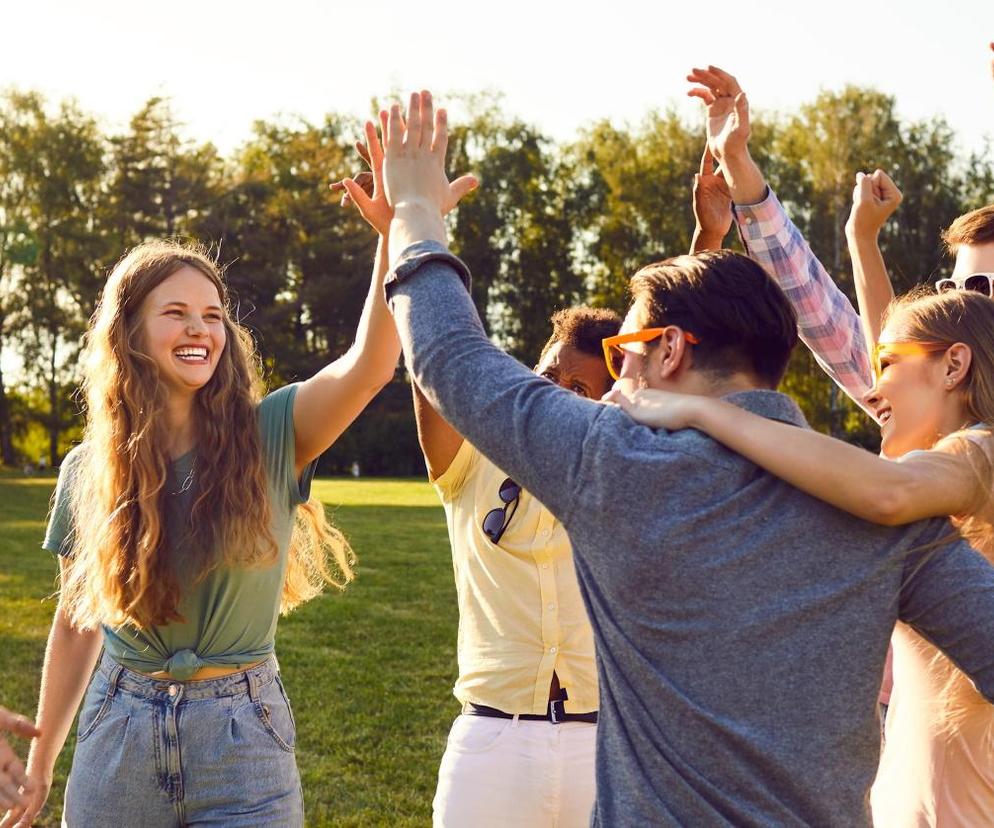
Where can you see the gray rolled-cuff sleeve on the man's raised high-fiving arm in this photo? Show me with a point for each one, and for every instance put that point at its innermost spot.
(529, 427)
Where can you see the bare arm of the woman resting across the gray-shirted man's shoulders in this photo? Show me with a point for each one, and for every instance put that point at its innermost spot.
(931, 484)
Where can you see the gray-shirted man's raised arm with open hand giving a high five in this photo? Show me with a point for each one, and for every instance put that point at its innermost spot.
(532, 429)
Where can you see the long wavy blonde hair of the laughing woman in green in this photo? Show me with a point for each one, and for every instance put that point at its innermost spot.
(119, 569)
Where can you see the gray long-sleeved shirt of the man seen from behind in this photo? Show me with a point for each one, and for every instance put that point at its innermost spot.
(741, 626)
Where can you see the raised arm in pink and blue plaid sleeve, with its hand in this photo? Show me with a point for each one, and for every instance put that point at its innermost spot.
(826, 320)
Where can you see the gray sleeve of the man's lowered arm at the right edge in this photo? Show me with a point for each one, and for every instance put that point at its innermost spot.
(948, 598)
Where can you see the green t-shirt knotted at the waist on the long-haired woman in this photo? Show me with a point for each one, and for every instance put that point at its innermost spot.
(231, 613)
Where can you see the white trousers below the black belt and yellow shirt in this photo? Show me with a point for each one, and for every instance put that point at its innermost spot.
(506, 772)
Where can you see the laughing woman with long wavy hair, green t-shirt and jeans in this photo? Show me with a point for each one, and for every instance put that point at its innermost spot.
(184, 526)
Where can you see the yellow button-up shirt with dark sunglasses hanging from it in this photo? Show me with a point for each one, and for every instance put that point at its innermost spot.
(520, 612)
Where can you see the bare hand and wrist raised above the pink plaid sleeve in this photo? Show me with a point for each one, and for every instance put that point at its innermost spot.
(728, 132)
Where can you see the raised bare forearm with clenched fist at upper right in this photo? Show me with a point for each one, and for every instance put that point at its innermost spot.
(875, 198)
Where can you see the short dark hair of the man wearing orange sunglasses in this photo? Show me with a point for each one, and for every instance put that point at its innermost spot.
(740, 315)
